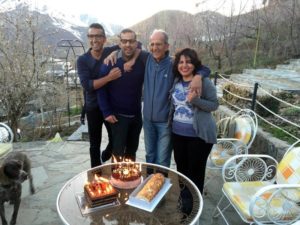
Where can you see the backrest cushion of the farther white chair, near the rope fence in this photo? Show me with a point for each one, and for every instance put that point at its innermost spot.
(243, 129)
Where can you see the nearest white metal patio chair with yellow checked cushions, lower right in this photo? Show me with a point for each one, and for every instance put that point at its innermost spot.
(261, 190)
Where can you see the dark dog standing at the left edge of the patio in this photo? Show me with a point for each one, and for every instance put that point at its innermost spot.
(15, 169)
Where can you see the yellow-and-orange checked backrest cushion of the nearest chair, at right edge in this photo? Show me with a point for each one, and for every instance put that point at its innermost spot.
(288, 170)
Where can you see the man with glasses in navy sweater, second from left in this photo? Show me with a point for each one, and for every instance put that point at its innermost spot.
(120, 100)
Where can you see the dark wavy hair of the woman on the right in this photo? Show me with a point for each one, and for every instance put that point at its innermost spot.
(187, 52)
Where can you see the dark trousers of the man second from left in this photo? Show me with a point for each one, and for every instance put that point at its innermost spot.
(126, 134)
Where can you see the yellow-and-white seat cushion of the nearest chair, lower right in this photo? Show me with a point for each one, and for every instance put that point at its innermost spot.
(240, 194)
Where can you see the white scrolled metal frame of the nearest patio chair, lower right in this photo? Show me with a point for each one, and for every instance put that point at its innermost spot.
(245, 168)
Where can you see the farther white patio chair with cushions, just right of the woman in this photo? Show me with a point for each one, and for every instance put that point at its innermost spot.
(237, 134)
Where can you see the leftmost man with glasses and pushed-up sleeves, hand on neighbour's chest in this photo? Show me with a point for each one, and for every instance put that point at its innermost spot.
(88, 66)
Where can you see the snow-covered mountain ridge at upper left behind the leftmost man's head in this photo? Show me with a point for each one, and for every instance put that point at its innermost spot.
(73, 23)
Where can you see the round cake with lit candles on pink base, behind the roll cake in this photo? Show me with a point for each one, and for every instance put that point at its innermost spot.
(126, 175)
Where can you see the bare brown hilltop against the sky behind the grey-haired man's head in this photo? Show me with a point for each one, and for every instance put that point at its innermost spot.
(183, 28)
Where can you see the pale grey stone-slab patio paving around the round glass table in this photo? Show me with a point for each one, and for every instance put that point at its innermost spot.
(55, 163)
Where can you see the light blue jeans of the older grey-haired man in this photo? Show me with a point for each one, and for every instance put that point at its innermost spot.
(157, 143)
